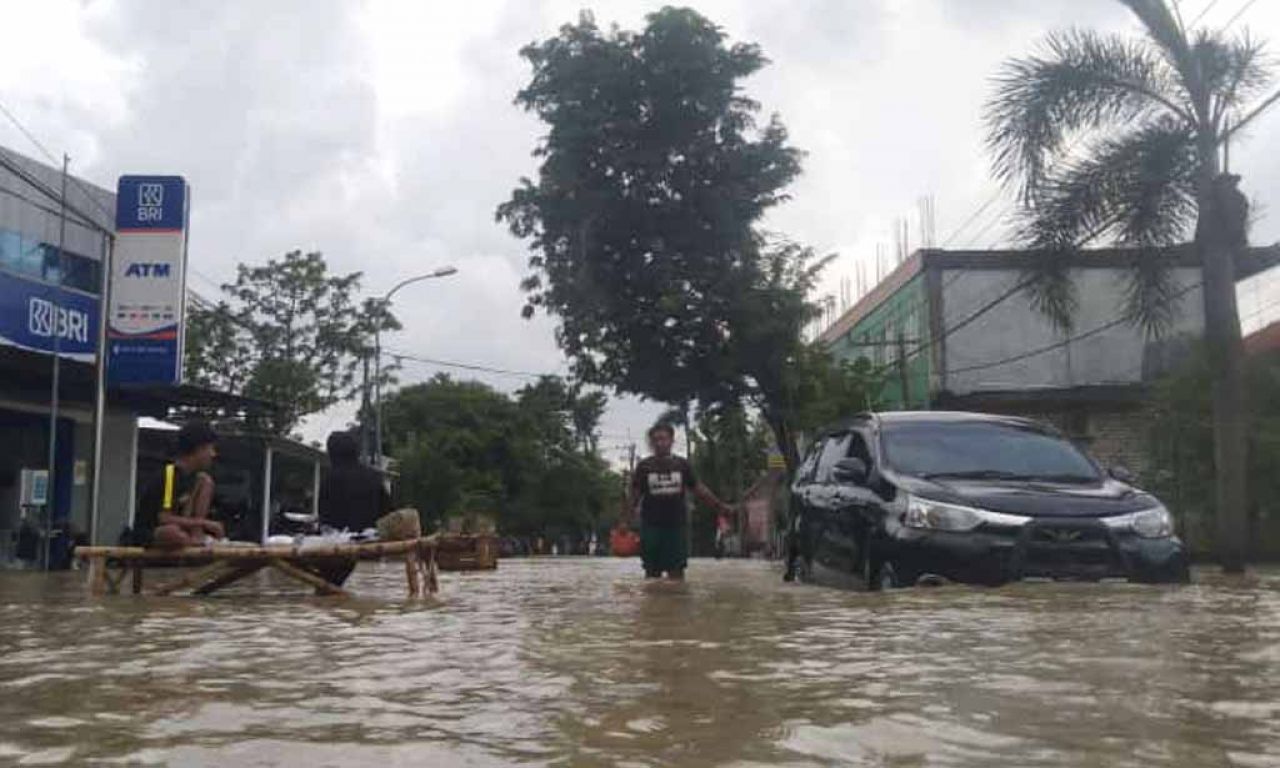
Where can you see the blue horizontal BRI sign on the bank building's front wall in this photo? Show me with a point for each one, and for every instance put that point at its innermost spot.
(34, 314)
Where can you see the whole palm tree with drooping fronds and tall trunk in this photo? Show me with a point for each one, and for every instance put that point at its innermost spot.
(1112, 138)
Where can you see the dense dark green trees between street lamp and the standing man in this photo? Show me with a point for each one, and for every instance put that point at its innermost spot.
(527, 460)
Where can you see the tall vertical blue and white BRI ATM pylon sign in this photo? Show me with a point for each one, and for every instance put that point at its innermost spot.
(145, 319)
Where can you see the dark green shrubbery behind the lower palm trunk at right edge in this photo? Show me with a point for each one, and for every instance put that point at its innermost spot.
(1181, 447)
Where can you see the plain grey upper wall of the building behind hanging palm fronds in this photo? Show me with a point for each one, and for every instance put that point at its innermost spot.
(1119, 355)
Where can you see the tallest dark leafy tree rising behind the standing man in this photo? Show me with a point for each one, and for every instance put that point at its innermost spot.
(643, 221)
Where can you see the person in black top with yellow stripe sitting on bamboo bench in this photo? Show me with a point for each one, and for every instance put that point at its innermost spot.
(175, 509)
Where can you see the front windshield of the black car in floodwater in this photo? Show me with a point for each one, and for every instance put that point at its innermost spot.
(984, 451)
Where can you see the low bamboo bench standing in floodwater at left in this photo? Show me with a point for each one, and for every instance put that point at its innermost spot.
(223, 566)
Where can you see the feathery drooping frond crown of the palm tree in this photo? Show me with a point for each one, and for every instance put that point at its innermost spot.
(1112, 138)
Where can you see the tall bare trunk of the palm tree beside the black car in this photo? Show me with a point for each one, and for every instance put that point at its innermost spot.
(1219, 237)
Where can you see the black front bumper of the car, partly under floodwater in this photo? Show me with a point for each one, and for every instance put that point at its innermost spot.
(1045, 548)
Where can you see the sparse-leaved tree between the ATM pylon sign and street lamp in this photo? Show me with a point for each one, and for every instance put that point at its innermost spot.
(291, 335)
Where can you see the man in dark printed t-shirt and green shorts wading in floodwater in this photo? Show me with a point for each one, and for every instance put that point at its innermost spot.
(660, 488)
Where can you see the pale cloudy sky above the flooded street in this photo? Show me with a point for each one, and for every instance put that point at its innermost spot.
(385, 135)
